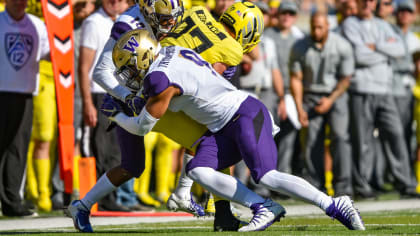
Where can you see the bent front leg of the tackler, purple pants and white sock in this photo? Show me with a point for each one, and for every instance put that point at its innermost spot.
(218, 152)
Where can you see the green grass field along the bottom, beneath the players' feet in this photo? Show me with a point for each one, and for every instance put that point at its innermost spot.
(379, 223)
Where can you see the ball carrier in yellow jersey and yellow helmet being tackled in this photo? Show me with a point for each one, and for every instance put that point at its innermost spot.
(220, 44)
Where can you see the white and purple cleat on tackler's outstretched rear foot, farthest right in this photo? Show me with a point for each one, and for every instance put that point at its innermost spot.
(344, 211)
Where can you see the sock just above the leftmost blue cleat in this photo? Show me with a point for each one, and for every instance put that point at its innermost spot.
(100, 190)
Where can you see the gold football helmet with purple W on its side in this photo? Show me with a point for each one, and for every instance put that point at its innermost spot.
(132, 55)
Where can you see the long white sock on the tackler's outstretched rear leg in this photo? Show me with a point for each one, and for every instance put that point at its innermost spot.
(295, 187)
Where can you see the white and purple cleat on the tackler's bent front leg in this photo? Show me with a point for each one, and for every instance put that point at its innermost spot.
(265, 214)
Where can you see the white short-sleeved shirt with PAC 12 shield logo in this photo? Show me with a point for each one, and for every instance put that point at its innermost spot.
(24, 43)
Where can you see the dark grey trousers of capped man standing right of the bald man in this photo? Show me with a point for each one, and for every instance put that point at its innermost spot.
(369, 110)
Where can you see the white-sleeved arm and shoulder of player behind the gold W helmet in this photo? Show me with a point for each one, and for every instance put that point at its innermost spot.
(104, 70)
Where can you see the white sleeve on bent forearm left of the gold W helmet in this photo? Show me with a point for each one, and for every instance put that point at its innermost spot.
(104, 73)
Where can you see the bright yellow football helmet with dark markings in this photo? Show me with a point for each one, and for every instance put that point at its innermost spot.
(246, 21)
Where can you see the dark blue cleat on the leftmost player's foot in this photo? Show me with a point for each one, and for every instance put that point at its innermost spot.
(80, 216)
